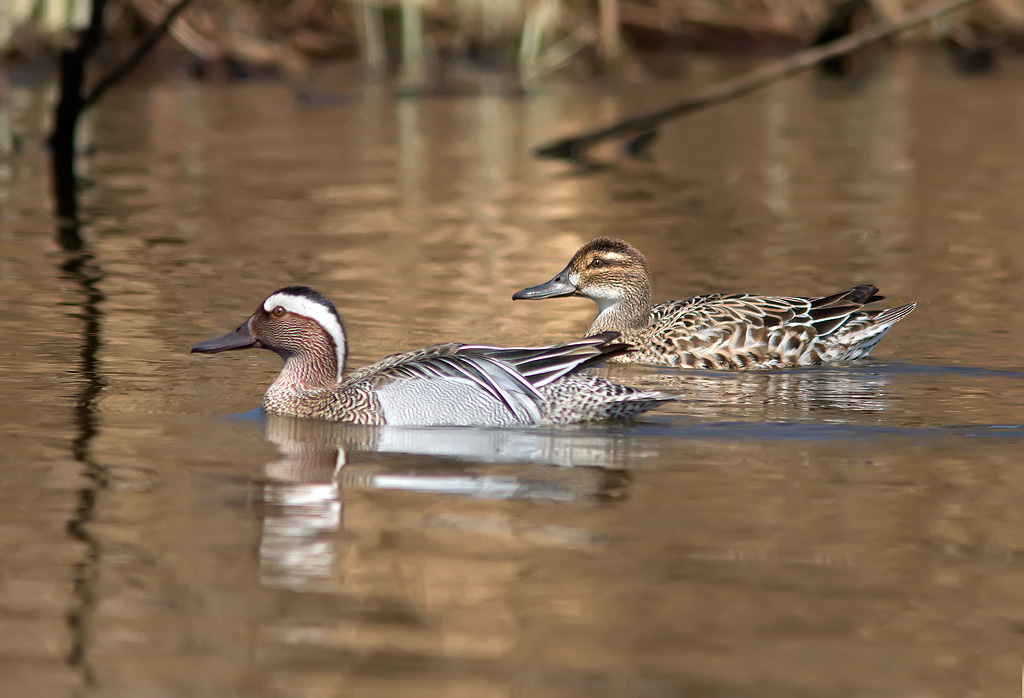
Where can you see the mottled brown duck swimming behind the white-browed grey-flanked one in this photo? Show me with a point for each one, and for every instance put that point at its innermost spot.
(718, 331)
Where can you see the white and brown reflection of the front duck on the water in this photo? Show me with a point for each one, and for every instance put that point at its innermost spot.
(304, 494)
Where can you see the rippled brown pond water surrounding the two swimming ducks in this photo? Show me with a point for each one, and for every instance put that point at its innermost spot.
(845, 532)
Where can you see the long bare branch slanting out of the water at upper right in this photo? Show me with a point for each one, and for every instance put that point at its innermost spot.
(575, 148)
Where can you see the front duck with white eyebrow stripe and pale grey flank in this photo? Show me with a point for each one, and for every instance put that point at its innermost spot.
(442, 385)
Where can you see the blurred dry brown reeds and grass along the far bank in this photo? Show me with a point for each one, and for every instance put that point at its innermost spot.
(421, 41)
